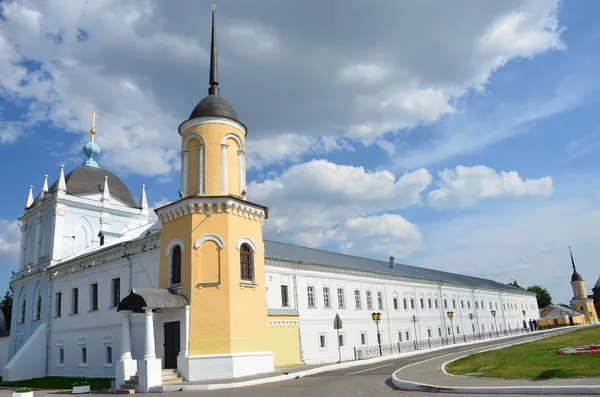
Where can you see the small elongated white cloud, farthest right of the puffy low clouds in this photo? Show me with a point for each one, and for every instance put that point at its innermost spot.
(465, 186)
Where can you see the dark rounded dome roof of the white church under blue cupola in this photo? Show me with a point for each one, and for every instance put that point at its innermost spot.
(85, 180)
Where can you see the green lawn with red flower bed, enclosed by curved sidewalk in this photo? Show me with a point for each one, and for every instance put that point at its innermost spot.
(534, 360)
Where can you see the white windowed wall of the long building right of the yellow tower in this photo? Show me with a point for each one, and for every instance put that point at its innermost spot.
(318, 320)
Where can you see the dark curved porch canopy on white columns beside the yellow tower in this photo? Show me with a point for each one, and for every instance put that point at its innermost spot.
(141, 298)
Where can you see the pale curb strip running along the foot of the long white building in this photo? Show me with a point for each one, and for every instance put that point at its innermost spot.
(313, 371)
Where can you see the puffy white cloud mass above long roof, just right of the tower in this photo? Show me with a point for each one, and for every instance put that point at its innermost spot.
(318, 203)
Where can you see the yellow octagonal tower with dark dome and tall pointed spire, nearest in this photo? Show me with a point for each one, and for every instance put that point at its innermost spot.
(212, 249)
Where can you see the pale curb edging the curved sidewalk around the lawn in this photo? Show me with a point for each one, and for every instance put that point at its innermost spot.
(549, 390)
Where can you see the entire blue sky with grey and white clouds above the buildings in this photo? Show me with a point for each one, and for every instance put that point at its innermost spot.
(461, 136)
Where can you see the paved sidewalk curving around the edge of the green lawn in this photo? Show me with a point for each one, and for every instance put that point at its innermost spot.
(428, 376)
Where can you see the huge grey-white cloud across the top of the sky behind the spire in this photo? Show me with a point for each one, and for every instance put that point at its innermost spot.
(143, 67)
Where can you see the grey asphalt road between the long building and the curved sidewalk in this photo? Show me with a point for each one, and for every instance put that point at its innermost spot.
(371, 380)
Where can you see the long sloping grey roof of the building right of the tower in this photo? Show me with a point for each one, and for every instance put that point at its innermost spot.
(294, 253)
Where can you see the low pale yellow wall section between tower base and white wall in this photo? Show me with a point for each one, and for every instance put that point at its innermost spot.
(283, 340)
